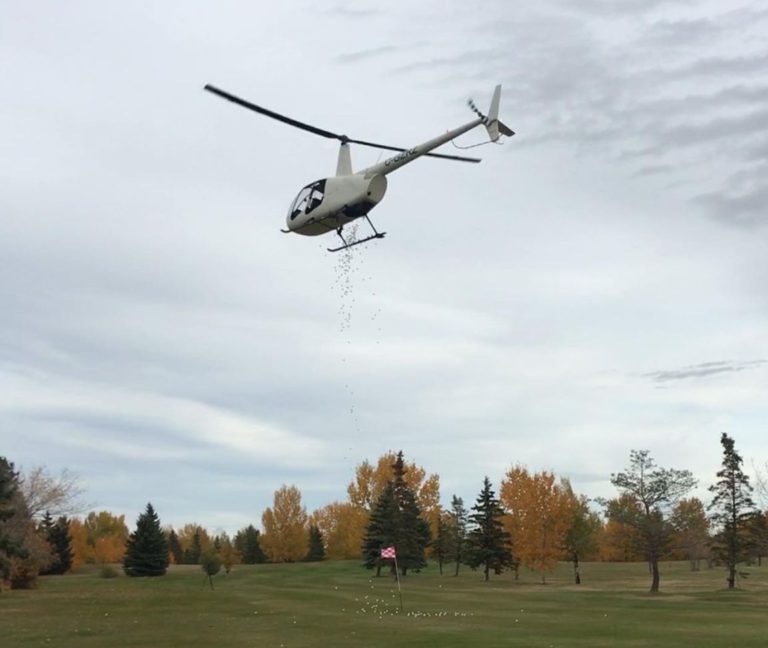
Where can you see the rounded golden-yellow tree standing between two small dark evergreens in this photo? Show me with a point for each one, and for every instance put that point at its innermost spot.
(286, 534)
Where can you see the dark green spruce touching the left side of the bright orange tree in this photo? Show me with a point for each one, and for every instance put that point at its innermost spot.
(488, 542)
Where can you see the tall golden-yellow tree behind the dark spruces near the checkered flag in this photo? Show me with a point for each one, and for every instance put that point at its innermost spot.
(369, 482)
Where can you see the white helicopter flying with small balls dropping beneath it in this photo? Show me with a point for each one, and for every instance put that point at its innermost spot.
(327, 205)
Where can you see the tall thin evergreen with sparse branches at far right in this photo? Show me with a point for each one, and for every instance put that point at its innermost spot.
(733, 506)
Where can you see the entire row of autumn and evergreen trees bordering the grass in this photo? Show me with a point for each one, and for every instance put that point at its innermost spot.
(536, 521)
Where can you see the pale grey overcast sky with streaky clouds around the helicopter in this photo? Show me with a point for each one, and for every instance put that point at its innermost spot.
(597, 284)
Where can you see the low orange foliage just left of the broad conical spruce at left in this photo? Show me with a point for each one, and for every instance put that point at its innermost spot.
(98, 539)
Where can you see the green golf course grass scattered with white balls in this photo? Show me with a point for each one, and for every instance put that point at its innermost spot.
(341, 604)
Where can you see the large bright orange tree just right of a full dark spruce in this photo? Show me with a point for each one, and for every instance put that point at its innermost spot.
(538, 516)
